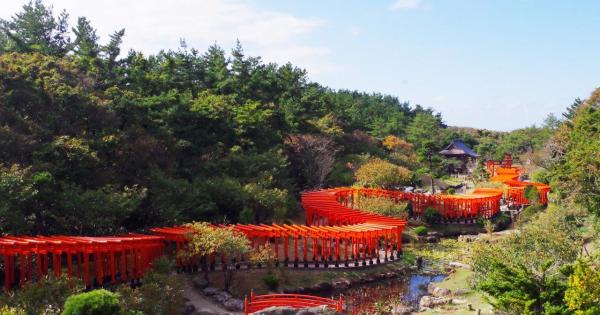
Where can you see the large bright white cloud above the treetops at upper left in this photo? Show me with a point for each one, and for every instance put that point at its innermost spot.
(152, 25)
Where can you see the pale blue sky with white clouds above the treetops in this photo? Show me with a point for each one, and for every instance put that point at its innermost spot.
(489, 64)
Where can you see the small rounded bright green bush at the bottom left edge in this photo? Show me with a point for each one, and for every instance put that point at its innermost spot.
(97, 302)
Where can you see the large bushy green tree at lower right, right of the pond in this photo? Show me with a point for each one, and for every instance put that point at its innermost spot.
(526, 272)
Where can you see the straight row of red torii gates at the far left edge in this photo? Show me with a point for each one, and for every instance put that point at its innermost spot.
(30, 258)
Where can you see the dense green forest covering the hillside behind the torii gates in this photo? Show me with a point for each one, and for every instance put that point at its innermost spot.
(96, 140)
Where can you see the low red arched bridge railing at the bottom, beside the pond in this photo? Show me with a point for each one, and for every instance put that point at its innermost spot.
(260, 302)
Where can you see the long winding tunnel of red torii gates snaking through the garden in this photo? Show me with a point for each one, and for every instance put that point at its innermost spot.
(336, 233)
